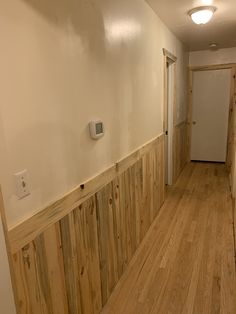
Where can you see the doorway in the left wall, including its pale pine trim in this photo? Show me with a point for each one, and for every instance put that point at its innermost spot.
(169, 105)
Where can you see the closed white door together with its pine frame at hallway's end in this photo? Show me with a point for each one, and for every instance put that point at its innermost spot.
(211, 110)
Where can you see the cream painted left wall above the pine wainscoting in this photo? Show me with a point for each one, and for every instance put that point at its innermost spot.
(64, 63)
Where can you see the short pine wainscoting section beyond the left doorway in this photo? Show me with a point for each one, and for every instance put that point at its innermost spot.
(180, 148)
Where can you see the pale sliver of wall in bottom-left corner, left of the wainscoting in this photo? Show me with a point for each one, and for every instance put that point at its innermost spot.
(7, 305)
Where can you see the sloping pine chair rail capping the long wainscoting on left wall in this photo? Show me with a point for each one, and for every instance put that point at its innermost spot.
(29, 229)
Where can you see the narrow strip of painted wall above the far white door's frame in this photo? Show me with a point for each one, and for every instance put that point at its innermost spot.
(208, 57)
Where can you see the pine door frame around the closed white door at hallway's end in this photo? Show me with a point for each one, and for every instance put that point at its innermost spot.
(230, 141)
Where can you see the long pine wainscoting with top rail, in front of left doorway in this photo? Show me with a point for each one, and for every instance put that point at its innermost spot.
(69, 257)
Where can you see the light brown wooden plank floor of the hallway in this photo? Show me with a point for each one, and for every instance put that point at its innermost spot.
(186, 262)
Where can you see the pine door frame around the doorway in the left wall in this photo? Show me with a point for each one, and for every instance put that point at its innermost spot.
(170, 59)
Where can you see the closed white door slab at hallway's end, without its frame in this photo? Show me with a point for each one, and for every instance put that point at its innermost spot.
(211, 98)
